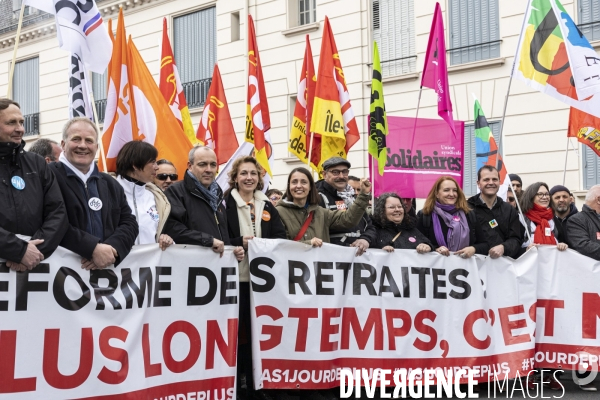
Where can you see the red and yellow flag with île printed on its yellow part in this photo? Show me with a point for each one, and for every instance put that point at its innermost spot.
(332, 115)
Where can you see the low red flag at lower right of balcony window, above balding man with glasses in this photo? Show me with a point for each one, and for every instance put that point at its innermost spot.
(216, 129)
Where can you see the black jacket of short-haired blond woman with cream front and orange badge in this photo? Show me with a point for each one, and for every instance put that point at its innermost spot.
(271, 229)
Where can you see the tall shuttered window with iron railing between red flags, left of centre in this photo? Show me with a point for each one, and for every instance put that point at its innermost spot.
(195, 51)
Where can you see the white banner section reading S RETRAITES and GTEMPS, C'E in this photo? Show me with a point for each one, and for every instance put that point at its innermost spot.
(318, 310)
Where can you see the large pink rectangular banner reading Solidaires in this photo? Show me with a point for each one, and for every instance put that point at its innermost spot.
(412, 171)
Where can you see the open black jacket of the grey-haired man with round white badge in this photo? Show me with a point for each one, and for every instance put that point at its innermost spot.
(119, 226)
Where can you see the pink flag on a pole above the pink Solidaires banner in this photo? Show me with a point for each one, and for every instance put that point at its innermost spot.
(435, 72)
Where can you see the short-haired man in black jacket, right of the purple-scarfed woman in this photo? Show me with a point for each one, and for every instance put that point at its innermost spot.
(500, 220)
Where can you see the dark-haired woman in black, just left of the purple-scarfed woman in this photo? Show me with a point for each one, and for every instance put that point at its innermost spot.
(396, 229)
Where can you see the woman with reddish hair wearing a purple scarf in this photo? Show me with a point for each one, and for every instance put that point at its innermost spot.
(448, 223)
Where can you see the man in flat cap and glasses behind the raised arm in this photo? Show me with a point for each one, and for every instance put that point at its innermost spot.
(337, 194)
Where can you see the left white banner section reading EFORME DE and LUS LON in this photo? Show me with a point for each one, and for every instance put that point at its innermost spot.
(160, 325)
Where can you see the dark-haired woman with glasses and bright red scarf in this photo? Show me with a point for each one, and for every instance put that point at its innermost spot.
(539, 217)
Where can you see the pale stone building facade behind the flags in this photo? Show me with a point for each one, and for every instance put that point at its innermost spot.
(481, 41)
